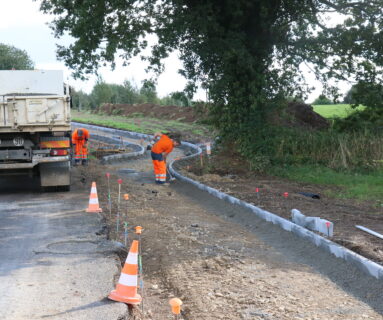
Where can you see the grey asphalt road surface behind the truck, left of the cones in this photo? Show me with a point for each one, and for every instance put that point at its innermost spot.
(52, 263)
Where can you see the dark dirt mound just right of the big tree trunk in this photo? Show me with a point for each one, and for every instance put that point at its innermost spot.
(303, 115)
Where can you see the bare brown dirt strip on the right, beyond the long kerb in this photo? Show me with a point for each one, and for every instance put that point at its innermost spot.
(231, 176)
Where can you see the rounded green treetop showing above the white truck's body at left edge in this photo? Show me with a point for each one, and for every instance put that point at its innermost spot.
(13, 58)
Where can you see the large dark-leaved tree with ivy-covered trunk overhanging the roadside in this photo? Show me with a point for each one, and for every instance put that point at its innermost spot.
(246, 53)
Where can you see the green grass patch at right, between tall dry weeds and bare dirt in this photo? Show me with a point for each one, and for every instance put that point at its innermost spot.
(362, 186)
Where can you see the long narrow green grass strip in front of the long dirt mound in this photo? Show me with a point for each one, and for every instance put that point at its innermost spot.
(142, 124)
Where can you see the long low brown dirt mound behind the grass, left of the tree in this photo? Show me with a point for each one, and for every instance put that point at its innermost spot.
(185, 114)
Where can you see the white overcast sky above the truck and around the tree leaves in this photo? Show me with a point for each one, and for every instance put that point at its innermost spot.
(22, 25)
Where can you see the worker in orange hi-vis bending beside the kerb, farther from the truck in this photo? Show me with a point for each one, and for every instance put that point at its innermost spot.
(160, 151)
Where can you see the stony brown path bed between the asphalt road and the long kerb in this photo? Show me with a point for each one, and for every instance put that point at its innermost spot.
(223, 262)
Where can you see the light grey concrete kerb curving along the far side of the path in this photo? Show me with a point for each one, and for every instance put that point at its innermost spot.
(365, 265)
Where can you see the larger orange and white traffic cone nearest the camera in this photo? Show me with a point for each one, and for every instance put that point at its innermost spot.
(126, 289)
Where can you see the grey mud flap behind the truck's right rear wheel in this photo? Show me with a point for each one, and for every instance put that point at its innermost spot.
(55, 174)
